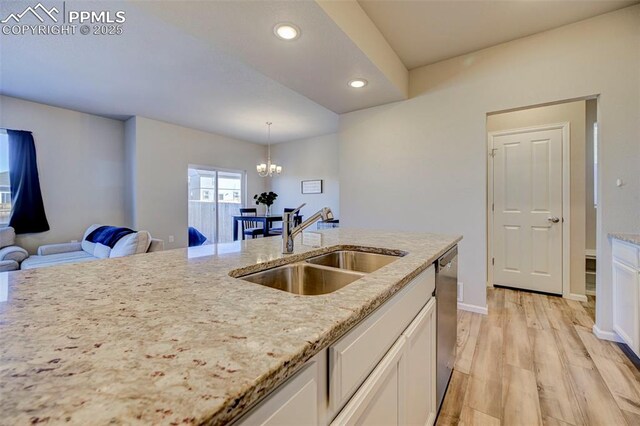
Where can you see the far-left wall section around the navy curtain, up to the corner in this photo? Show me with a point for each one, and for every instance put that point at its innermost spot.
(80, 163)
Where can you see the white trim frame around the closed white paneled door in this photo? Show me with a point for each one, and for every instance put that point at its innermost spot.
(566, 200)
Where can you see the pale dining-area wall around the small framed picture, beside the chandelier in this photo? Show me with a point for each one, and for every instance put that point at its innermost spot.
(315, 158)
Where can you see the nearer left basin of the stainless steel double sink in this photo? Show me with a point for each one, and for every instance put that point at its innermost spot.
(304, 278)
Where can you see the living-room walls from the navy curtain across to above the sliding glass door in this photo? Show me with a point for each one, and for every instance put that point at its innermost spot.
(133, 173)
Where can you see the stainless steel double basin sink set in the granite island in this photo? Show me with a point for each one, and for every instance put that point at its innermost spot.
(321, 274)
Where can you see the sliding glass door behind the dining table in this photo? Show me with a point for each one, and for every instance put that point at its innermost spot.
(215, 196)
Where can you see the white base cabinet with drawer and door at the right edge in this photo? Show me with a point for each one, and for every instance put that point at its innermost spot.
(626, 296)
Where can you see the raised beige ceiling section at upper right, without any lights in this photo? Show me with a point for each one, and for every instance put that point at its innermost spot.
(428, 31)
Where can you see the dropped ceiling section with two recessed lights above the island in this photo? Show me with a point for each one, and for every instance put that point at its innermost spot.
(318, 65)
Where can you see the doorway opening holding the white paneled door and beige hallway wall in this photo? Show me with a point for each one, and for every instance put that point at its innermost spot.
(536, 207)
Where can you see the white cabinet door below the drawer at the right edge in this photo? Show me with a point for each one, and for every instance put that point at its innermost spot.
(625, 304)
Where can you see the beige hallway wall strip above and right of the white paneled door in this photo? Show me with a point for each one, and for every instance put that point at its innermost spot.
(574, 113)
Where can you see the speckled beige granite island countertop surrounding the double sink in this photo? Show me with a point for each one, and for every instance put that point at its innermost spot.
(170, 337)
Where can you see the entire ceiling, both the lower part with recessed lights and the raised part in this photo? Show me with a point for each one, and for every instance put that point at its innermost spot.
(216, 65)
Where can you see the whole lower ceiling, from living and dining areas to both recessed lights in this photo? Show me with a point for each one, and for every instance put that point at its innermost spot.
(210, 65)
